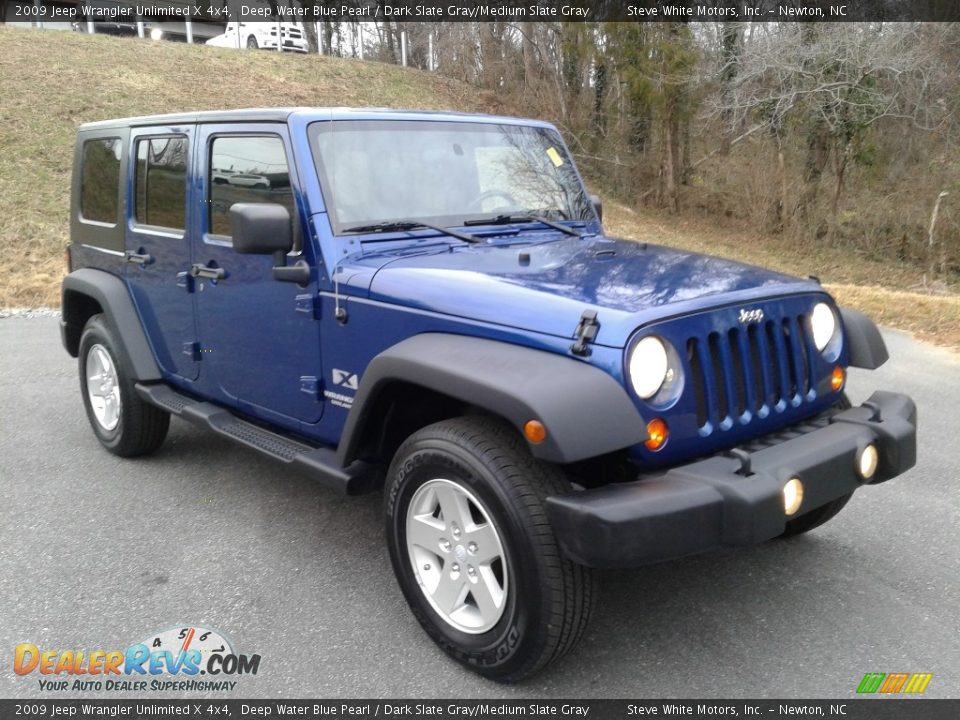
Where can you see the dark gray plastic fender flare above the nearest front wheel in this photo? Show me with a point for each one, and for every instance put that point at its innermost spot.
(585, 411)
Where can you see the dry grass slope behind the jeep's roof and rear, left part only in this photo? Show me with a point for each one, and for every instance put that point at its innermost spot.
(53, 81)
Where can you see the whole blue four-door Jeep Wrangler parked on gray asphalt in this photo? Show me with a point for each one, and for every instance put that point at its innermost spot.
(428, 304)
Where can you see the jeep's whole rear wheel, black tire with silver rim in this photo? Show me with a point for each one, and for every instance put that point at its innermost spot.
(123, 423)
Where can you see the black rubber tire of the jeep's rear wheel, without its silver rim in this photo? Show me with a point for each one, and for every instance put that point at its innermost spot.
(140, 428)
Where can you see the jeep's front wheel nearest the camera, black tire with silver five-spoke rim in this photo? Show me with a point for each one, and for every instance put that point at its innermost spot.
(474, 553)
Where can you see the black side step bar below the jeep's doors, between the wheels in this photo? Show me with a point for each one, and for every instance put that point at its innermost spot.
(319, 462)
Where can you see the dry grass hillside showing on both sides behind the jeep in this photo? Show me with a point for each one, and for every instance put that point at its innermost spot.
(53, 81)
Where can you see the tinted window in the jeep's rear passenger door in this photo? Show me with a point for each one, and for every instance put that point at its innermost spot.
(160, 192)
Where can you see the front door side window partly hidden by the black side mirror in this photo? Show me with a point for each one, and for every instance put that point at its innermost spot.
(251, 168)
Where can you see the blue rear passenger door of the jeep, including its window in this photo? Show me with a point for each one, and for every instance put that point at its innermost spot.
(157, 246)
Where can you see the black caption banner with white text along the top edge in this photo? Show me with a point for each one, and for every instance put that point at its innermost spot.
(511, 10)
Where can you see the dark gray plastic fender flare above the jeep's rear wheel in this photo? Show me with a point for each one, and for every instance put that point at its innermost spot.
(111, 294)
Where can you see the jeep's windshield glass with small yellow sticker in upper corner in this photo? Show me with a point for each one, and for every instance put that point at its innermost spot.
(444, 173)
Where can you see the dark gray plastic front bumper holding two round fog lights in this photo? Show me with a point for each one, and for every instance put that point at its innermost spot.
(719, 502)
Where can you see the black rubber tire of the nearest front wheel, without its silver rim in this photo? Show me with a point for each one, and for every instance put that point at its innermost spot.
(548, 599)
